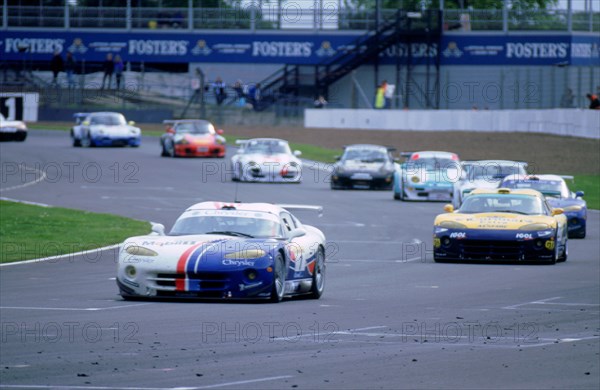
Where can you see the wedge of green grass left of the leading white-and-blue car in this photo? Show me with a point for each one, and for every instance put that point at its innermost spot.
(31, 232)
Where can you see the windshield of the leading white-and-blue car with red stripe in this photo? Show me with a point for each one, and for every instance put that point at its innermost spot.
(228, 225)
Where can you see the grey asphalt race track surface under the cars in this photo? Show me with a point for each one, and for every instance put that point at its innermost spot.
(390, 317)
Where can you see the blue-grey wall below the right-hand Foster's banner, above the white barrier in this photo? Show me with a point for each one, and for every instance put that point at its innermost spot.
(466, 87)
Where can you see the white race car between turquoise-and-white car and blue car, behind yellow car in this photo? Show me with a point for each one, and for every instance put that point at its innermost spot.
(483, 174)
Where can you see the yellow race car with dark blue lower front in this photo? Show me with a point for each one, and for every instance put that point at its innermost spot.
(501, 225)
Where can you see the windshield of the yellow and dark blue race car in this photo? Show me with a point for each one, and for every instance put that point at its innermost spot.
(500, 203)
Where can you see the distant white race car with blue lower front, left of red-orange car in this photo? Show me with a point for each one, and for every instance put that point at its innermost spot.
(104, 129)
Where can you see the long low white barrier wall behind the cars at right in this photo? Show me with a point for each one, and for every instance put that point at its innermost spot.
(565, 122)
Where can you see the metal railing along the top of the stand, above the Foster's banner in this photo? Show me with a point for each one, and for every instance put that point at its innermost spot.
(249, 18)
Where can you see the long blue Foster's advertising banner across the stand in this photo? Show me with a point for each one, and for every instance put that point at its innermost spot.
(302, 49)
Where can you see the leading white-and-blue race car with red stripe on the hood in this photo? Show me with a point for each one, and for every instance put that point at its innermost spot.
(226, 250)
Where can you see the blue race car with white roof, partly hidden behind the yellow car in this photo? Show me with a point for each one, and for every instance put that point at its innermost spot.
(558, 195)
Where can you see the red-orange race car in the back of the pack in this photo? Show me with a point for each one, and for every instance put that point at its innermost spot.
(192, 137)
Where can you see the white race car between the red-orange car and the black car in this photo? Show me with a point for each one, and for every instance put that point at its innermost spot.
(266, 160)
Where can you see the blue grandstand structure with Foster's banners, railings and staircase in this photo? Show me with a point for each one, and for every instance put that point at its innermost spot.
(437, 58)
